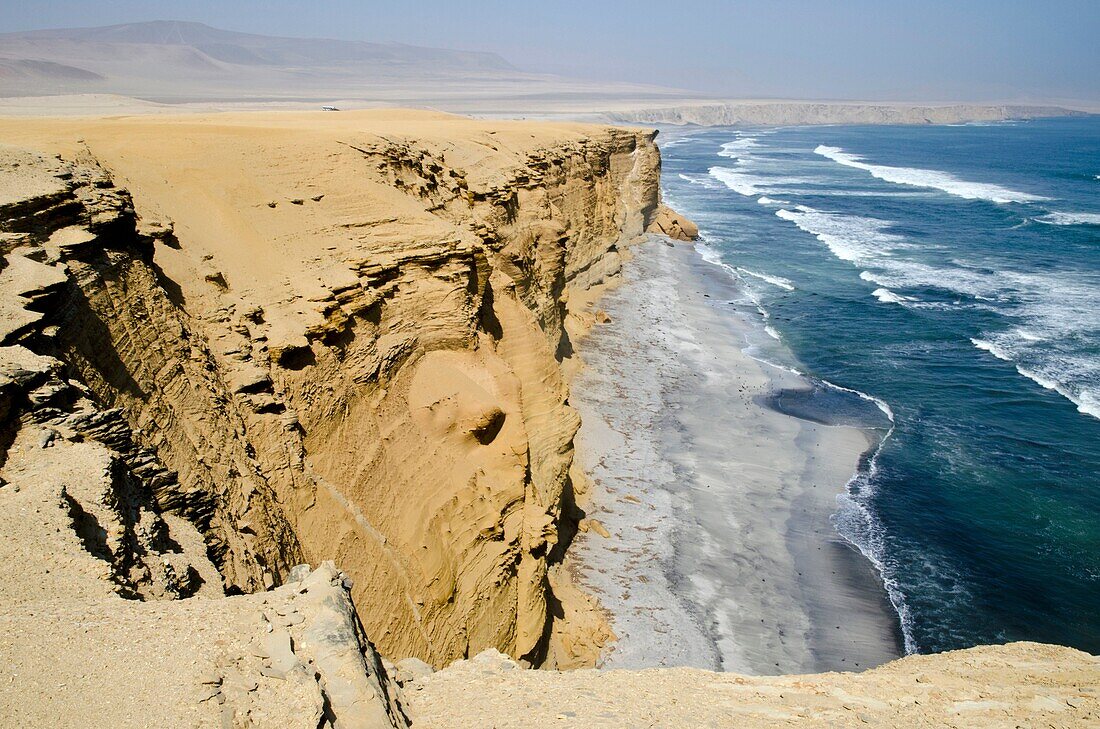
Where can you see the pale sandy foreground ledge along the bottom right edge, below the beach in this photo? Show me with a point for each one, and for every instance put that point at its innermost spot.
(1017, 686)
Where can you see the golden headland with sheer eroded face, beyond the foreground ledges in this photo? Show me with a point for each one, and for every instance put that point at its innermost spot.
(339, 338)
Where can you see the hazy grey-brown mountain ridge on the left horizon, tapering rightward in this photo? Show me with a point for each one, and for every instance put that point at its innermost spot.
(177, 61)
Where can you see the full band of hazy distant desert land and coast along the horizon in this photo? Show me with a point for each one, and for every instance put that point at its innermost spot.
(173, 62)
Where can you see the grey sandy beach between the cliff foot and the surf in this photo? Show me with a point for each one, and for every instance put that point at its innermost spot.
(672, 406)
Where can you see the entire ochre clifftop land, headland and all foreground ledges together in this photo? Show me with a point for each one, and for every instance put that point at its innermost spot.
(236, 346)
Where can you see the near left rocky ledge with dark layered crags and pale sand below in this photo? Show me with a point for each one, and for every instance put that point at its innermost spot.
(113, 610)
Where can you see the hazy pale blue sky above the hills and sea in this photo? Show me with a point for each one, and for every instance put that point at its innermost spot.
(930, 50)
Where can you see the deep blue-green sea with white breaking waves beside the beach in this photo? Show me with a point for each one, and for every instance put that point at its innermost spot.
(952, 273)
